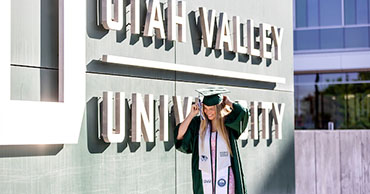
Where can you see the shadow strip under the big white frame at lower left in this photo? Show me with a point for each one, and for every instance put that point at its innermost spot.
(29, 150)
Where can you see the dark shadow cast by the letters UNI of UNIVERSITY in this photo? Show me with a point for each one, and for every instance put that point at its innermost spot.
(97, 145)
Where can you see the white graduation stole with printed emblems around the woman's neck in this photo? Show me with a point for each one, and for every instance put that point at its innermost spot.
(222, 164)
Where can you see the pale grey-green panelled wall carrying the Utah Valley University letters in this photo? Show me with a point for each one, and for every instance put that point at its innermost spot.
(92, 166)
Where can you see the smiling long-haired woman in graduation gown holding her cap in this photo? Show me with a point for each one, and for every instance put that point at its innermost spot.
(211, 138)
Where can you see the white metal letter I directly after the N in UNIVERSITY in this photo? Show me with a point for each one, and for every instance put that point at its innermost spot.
(163, 114)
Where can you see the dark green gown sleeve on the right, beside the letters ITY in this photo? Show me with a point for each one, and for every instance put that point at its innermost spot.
(237, 120)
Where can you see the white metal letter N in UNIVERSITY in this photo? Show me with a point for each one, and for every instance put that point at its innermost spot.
(142, 117)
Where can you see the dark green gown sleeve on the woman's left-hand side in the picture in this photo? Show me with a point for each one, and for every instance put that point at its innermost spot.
(186, 144)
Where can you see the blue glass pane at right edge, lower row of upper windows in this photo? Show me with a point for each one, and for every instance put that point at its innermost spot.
(356, 37)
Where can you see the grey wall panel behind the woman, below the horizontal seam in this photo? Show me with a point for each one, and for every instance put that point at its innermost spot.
(268, 164)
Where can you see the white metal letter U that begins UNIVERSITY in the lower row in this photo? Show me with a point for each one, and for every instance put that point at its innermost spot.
(113, 133)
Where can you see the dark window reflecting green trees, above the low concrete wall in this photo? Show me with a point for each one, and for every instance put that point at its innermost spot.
(342, 98)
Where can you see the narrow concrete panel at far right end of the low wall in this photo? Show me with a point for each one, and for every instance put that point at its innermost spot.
(365, 140)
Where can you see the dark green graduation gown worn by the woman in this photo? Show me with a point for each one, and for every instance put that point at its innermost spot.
(235, 123)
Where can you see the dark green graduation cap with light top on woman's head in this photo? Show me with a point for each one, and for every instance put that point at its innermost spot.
(212, 95)
